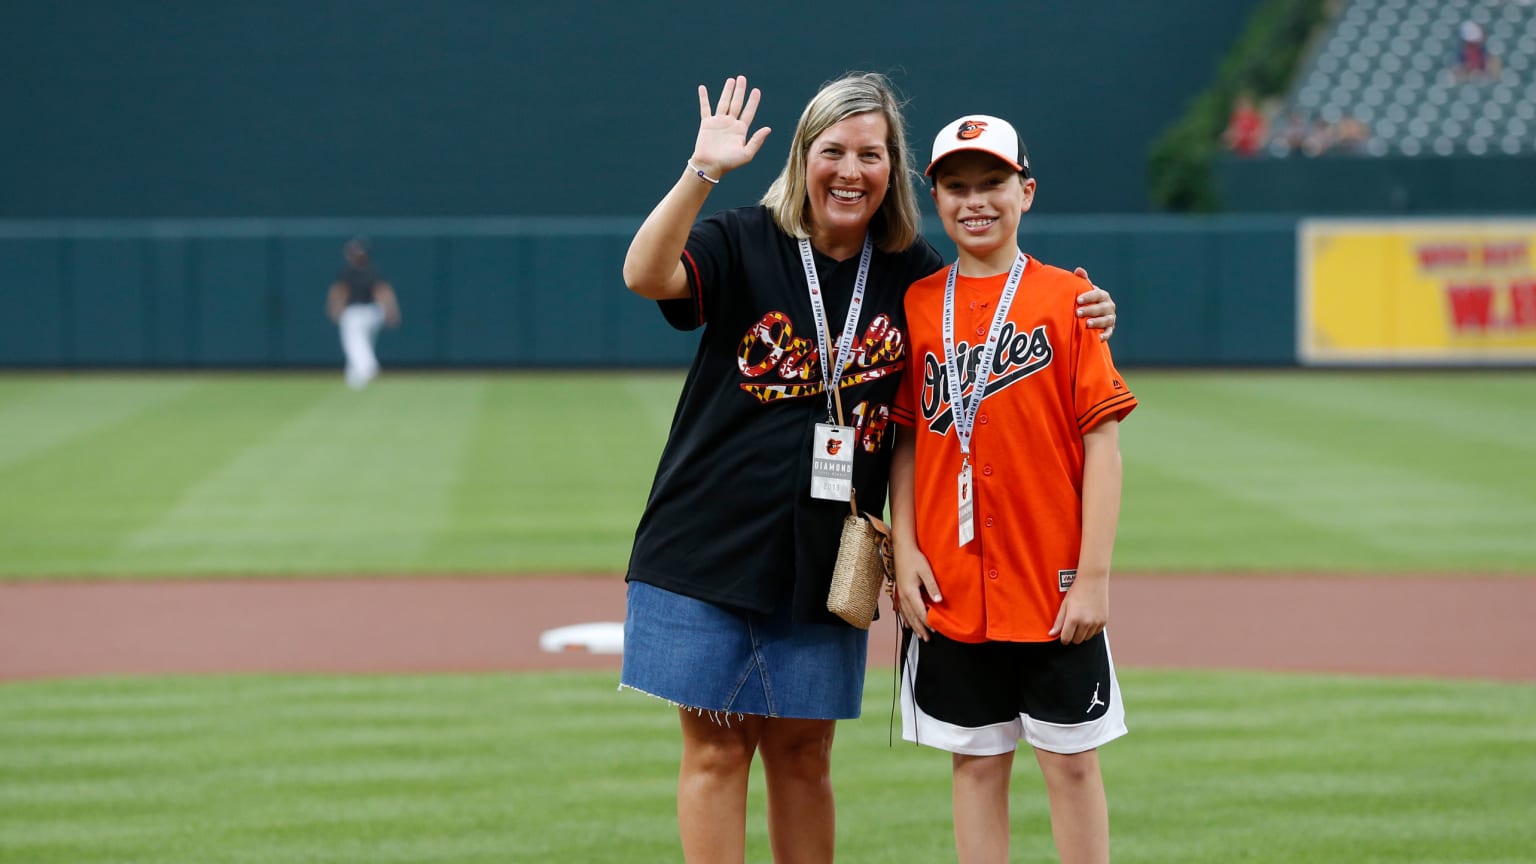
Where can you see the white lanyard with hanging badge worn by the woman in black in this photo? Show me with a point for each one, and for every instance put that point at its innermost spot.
(833, 445)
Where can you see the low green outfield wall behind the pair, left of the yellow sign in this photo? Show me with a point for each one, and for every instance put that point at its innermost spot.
(508, 293)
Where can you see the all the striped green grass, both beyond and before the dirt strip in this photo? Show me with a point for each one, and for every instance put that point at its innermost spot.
(216, 476)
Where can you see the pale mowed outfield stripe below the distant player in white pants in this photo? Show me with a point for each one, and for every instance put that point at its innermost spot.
(354, 482)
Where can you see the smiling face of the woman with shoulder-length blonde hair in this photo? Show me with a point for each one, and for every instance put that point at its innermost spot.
(847, 176)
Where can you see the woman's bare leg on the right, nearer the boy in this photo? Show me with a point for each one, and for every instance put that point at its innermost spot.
(798, 766)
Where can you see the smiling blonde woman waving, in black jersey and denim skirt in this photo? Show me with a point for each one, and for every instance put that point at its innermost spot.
(835, 245)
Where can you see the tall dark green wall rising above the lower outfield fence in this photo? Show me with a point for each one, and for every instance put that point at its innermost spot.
(532, 108)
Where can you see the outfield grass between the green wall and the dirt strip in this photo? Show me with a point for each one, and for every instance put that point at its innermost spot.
(118, 476)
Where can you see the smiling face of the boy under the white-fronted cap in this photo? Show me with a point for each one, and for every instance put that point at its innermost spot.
(981, 201)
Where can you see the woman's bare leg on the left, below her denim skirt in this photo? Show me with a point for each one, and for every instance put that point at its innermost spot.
(712, 786)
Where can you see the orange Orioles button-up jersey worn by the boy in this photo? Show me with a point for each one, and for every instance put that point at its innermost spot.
(1051, 382)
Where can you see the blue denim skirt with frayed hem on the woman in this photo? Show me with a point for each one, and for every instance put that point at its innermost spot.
(718, 660)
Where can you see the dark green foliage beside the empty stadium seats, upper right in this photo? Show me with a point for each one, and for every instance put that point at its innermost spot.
(1263, 62)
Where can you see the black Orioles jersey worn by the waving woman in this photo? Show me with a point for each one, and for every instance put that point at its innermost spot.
(730, 517)
